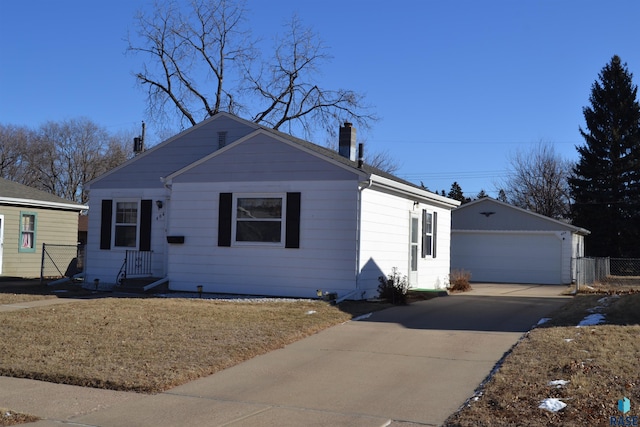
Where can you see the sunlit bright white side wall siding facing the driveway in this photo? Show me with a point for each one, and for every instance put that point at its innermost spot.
(385, 241)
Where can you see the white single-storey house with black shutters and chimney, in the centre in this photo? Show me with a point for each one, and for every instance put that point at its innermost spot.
(235, 207)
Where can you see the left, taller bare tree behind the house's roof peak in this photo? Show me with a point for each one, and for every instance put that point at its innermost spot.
(190, 55)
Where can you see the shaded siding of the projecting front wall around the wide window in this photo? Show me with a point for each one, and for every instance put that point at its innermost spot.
(325, 260)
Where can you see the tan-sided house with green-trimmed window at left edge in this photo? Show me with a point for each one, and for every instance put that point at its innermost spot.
(29, 218)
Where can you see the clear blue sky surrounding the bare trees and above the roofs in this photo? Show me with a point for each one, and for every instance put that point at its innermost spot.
(459, 85)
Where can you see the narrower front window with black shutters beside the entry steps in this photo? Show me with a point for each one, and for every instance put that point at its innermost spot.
(126, 224)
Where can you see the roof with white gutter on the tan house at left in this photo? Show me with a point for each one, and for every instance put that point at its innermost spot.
(13, 193)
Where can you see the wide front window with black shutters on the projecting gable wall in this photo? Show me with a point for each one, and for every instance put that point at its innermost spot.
(264, 219)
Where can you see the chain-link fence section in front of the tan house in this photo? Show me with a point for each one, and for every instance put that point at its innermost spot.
(60, 261)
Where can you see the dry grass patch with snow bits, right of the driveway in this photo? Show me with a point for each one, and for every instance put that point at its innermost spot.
(601, 363)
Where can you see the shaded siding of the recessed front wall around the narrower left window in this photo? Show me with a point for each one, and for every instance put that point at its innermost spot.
(104, 264)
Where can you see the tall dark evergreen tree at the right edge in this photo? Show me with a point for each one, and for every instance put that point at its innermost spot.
(606, 182)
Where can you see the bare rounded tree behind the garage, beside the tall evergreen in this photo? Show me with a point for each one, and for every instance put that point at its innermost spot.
(538, 181)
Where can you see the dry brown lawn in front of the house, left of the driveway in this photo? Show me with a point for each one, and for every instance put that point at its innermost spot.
(151, 344)
